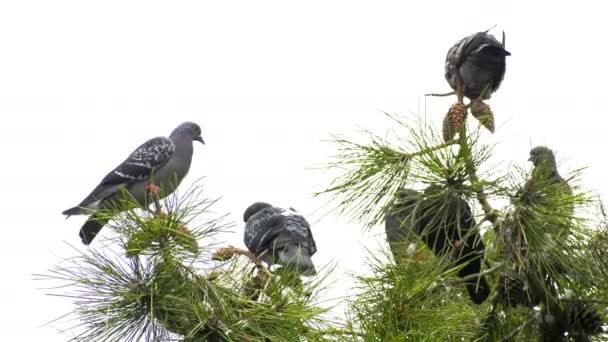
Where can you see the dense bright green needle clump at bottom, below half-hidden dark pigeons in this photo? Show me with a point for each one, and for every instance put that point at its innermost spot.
(410, 300)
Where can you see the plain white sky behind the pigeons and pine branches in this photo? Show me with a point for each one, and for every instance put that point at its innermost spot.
(83, 83)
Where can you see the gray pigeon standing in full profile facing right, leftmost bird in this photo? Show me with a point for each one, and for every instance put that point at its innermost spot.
(161, 162)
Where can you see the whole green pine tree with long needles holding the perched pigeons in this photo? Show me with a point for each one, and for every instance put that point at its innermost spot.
(544, 258)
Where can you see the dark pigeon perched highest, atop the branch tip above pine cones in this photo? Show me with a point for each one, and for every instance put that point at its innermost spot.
(481, 61)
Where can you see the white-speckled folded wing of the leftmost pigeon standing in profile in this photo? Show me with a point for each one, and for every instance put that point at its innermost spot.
(139, 166)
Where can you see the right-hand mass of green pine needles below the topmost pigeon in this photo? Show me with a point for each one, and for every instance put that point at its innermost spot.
(546, 236)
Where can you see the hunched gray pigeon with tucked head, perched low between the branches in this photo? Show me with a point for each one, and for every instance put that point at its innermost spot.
(280, 236)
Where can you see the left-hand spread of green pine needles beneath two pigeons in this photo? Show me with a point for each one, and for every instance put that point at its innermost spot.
(157, 281)
